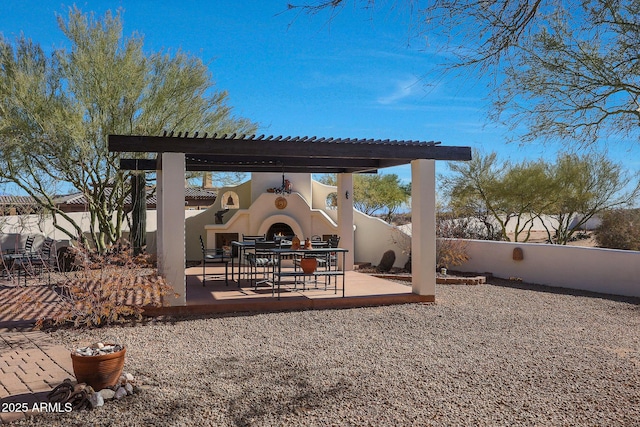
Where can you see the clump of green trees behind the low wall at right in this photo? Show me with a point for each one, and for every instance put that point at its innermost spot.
(569, 192)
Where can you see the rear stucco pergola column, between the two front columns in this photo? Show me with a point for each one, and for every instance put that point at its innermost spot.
(345, 219)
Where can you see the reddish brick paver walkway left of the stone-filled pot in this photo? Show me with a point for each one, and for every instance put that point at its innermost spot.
(31, 365)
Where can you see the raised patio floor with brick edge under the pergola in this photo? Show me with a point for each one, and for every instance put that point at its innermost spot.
(361, 290)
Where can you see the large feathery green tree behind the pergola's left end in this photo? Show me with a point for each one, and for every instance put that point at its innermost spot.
(56, 112)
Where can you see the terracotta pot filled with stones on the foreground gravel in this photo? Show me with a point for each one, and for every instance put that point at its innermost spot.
(99, 371)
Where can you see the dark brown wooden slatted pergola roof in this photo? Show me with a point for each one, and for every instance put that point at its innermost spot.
(244, 153)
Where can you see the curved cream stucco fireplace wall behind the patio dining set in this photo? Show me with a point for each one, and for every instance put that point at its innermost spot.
(306, 213)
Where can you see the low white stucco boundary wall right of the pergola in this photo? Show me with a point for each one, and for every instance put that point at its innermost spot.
(608, 271)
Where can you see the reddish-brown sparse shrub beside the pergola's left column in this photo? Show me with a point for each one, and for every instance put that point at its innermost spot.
(104, 289)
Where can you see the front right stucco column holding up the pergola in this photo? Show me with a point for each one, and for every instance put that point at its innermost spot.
(423, 227)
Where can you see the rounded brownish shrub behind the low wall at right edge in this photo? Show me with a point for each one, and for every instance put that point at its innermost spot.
(619, 229)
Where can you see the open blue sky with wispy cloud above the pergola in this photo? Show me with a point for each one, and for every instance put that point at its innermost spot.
(356, 76)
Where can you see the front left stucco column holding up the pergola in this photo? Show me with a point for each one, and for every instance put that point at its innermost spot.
(171, 232)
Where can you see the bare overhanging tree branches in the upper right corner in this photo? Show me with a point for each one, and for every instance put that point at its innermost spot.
(564, 70)
